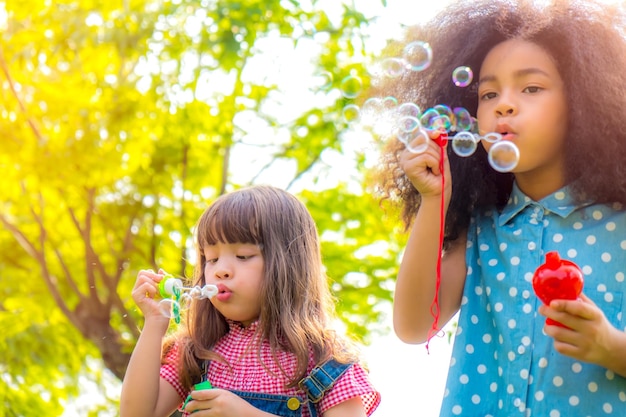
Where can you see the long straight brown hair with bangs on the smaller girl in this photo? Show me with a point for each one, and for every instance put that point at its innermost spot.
(297, 307)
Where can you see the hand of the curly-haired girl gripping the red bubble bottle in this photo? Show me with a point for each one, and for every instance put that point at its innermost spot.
(590, 337)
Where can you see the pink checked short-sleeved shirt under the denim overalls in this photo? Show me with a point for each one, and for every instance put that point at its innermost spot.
(250, 372)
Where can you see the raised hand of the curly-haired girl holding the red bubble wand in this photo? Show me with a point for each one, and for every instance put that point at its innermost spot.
(423, 169)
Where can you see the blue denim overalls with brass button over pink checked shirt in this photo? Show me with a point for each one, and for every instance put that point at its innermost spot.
(315, 385)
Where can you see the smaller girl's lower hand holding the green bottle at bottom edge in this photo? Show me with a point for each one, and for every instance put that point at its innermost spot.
(217, 402)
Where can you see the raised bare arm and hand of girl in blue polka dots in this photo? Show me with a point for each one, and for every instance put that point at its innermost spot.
(417, 278)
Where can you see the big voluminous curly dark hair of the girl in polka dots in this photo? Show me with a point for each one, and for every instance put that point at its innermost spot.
(587, 41)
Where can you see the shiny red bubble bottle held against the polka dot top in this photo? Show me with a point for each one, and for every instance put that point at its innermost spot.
(557, 279)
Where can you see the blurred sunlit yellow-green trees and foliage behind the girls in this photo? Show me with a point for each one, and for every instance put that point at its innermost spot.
(119, 123)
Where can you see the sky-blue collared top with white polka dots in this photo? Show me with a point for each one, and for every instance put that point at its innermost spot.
(502, 363)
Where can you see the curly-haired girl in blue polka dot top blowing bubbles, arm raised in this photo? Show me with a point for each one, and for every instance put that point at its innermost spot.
(550, 78)
